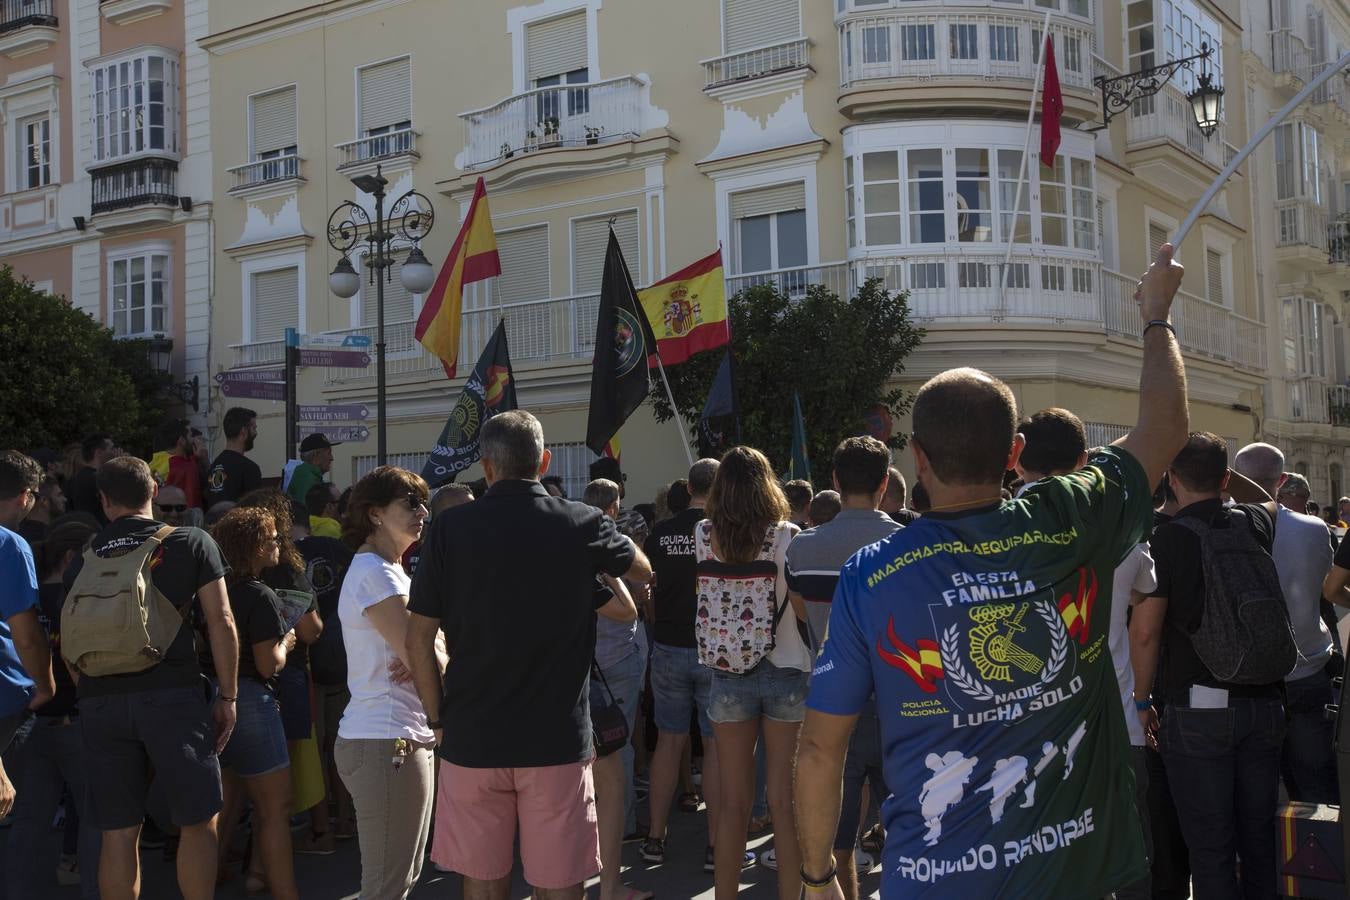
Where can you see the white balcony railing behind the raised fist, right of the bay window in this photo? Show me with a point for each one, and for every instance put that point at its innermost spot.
(1204, 329)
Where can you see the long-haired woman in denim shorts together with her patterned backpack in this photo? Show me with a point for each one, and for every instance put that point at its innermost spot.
(746, 528)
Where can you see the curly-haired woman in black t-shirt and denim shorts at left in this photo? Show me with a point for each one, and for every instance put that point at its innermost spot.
(256, 763)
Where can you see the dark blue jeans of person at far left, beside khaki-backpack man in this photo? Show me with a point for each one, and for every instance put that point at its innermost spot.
(48, 755)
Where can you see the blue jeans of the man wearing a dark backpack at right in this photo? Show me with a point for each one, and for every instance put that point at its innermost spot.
(1224, 767)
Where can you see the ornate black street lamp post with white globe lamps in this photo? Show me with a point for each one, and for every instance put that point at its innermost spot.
(411, 218)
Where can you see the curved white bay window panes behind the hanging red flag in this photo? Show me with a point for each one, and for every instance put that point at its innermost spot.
(966, 196)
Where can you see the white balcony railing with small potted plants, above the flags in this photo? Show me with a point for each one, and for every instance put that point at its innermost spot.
(560, 117)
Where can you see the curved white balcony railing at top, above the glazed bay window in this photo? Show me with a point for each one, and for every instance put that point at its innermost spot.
(993, 47)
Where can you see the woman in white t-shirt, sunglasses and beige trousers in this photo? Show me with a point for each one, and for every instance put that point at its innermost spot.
(385, 748)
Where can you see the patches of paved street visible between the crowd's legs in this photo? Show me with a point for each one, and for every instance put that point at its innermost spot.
(338, 878)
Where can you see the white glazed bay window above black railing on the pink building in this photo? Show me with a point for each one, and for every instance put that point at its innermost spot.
(136, 107)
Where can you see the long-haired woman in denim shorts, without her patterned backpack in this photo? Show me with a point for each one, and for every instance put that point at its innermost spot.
(746, 522)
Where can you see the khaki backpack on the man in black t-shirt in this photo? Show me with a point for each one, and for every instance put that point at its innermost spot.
(115, 621)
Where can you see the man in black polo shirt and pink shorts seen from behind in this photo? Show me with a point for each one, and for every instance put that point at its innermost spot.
(511, 581)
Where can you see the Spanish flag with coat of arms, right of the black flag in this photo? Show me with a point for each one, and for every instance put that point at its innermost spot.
(688, 311)
